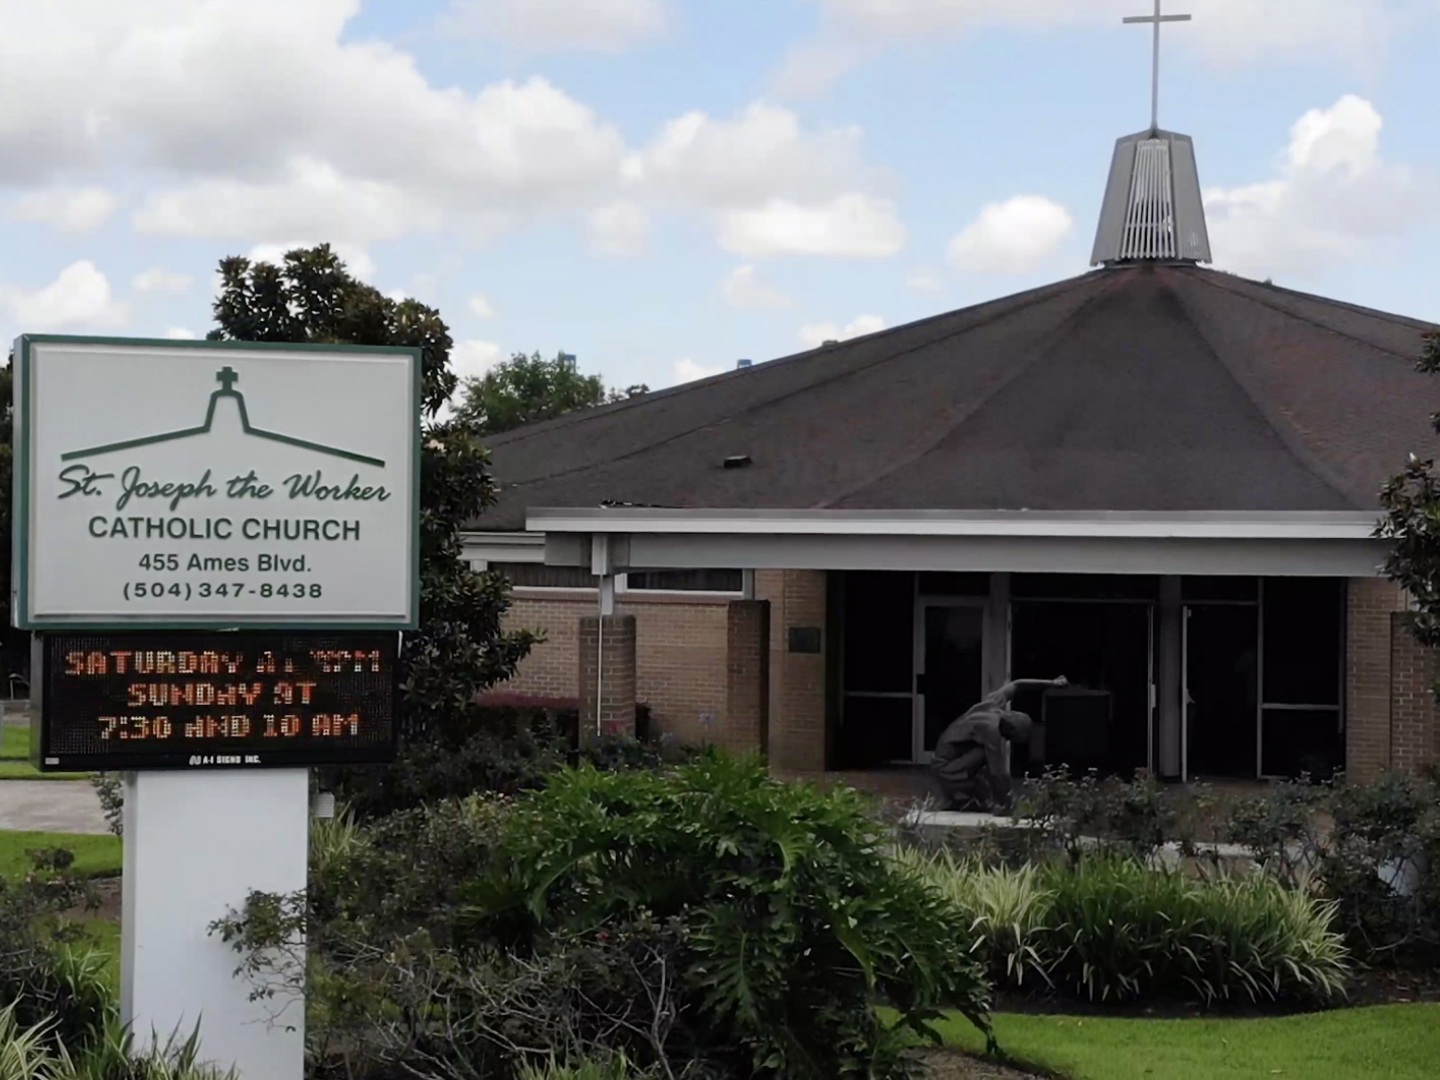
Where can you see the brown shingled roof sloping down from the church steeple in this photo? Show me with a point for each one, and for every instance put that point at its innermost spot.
(1146, 388)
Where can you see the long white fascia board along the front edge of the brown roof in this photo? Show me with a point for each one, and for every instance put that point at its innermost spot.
(866, 523)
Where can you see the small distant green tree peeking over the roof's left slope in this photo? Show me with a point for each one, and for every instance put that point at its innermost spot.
(525, 390)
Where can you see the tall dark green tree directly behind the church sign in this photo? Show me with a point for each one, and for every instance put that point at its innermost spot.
(460, 647)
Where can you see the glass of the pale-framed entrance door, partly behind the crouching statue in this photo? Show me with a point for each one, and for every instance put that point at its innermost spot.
(950, 667)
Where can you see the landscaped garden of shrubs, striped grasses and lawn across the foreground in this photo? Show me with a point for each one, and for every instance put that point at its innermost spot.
(708, 922)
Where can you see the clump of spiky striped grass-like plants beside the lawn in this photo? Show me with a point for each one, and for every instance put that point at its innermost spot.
(1111, 930)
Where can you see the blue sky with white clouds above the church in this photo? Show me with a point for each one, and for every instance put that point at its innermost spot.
(666, 186)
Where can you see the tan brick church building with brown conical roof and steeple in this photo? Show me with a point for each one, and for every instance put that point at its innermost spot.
(1157, 480)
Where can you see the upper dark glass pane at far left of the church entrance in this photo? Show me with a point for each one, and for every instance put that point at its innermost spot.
(881, 633)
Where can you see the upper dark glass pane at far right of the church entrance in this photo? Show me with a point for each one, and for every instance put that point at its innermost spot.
(1302, 642)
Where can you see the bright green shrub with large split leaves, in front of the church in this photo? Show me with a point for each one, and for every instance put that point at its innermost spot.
(797, 925)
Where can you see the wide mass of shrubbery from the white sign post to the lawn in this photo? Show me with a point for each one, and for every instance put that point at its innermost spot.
(708, 922)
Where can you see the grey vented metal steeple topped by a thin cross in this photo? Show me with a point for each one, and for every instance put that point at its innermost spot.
(1153, 210)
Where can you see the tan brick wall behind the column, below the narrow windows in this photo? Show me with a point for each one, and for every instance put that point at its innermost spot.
(680, 654)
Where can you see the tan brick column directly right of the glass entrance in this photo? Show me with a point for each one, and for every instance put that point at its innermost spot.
(1372, 604)
